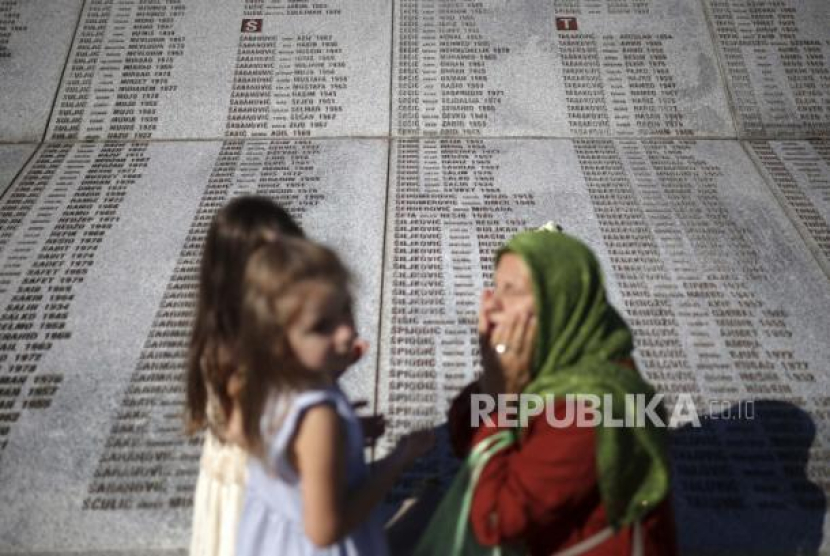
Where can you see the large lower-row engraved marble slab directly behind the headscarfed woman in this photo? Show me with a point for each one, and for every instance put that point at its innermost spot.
(726, 303)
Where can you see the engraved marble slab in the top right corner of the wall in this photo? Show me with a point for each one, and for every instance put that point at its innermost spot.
(776, 59)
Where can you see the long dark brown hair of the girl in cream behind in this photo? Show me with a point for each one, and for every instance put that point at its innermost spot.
(237, 230)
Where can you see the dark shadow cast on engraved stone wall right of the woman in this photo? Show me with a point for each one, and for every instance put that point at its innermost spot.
(740, 484)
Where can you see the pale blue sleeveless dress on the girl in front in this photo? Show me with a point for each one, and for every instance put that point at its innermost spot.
(272, 516)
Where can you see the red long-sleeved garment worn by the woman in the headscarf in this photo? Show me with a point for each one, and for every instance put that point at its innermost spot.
(543, 490)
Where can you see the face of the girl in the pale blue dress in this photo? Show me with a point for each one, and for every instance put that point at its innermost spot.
(322, 335)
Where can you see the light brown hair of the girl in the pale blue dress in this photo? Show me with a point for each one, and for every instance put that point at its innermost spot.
(272, 300)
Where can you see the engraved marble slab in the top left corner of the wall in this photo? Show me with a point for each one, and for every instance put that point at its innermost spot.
(35, 36)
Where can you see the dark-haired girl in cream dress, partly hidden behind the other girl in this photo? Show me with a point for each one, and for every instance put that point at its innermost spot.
(237, 230)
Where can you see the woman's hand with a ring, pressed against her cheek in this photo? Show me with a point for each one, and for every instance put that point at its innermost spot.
(506, 341)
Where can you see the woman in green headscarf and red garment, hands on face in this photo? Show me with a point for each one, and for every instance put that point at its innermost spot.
(548, 329)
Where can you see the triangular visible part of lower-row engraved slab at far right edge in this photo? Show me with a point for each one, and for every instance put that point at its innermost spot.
(799, 174)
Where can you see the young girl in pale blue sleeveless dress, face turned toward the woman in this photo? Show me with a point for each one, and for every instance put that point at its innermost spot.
(309, 489)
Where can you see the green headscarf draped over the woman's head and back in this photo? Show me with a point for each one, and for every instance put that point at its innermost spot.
(581, 340)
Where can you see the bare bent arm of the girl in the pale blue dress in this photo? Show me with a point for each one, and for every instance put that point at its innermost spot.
(329, 512)
